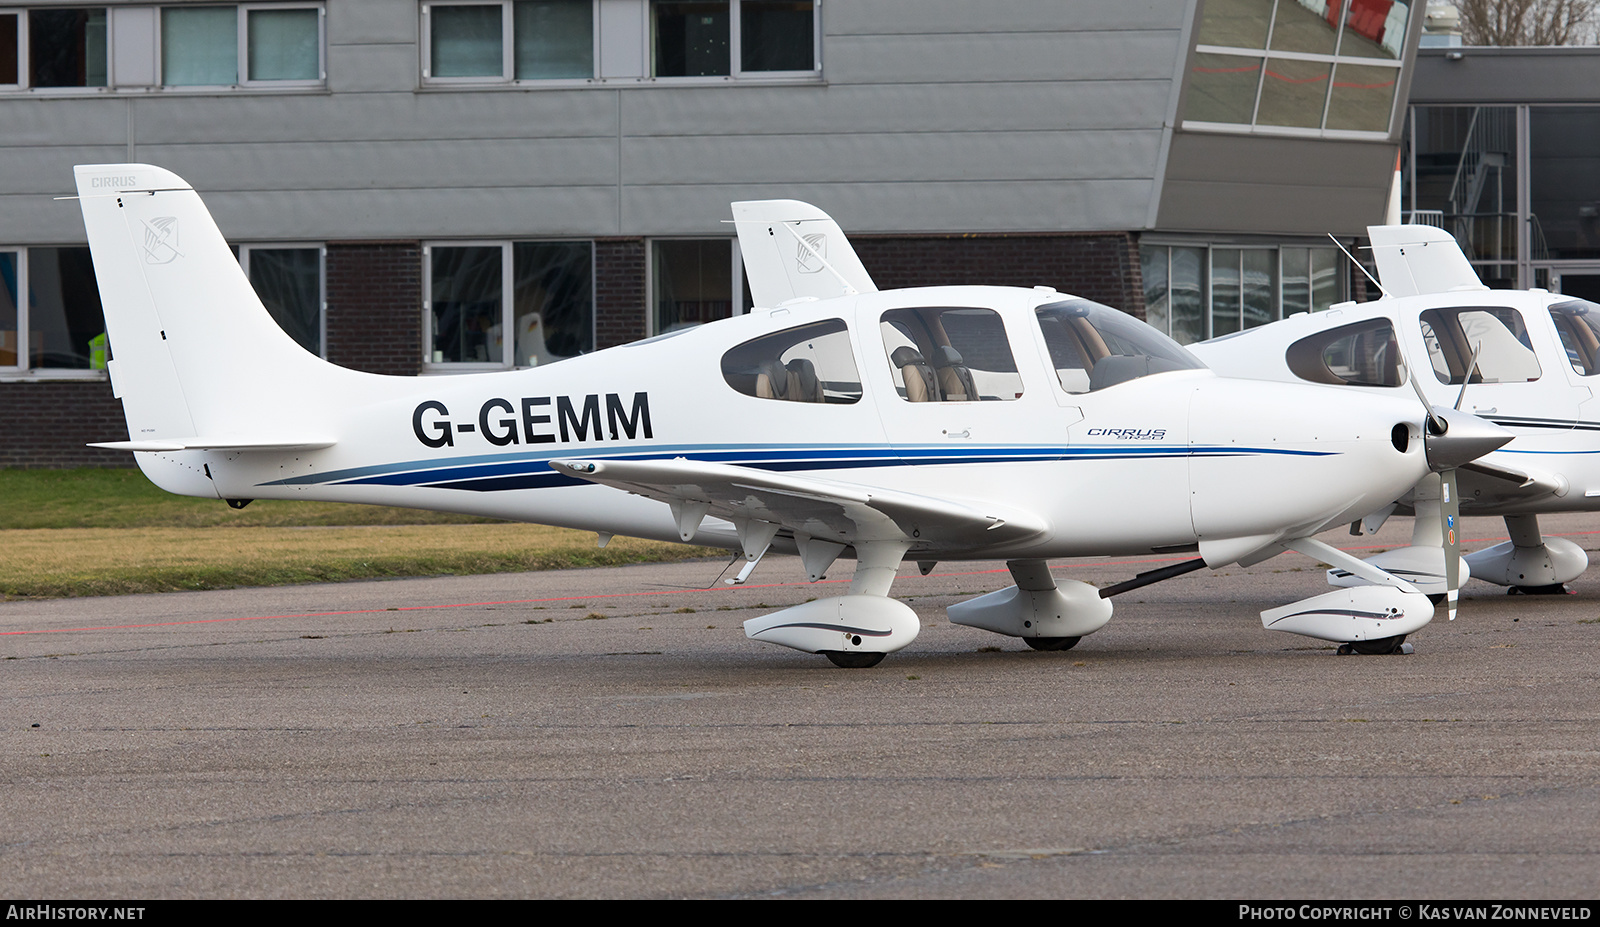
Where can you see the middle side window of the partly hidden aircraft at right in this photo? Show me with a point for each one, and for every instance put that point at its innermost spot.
(1497, 334)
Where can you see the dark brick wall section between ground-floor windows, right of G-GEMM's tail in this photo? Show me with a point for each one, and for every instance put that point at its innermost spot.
(375, 307)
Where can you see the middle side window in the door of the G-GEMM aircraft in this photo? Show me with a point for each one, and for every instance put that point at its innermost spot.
(950, 355)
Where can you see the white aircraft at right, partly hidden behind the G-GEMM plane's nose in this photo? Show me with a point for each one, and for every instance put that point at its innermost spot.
(1524, 359)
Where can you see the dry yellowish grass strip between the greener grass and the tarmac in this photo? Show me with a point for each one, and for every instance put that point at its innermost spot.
(55, 563)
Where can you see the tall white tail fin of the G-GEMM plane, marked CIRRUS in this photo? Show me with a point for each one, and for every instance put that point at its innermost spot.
(194, 353)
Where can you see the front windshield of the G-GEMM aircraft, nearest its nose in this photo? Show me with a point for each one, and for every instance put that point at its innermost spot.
(1095, 347)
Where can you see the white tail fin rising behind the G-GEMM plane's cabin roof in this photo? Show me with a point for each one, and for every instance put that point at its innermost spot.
(794, 249)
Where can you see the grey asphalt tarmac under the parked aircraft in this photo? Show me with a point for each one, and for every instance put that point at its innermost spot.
(612, 732)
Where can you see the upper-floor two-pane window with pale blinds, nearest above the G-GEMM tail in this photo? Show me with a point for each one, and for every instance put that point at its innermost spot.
(263, 44)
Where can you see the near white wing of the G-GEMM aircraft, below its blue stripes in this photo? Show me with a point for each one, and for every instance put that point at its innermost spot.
(820, 508)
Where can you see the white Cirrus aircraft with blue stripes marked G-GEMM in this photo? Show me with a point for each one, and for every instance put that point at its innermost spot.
(934, 423)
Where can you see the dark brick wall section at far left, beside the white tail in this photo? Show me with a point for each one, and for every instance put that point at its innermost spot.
(46, 425)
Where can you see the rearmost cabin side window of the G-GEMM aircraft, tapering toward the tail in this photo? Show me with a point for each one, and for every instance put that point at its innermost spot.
(806, 364)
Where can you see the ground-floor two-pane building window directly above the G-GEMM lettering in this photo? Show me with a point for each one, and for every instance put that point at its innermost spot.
(550, 311)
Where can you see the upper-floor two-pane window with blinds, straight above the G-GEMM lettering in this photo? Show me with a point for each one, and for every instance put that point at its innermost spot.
(510, 41)
